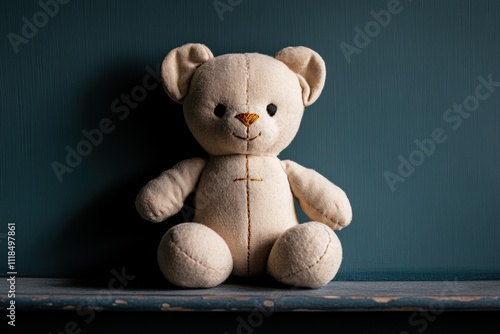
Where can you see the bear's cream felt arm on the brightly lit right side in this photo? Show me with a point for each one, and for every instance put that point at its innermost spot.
(320, 199)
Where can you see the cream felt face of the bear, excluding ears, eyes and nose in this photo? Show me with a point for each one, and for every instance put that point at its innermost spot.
(246, 89)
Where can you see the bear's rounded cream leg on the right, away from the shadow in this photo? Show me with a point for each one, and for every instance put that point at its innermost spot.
(307, 255)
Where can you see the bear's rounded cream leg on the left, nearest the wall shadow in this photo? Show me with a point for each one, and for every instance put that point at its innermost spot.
(192, 255)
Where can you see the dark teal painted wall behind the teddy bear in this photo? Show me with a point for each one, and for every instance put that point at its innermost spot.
(442, 222)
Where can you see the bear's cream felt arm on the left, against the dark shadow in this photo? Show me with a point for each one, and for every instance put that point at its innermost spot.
(164, 196)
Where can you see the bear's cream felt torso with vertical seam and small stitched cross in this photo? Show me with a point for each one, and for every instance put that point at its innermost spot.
(247, 200)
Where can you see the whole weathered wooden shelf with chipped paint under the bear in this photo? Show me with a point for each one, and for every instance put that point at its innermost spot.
(67, 294)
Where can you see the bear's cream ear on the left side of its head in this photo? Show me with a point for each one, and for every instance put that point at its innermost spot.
(179, 66)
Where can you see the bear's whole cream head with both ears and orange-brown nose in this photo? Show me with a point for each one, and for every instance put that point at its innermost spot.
(243, 103)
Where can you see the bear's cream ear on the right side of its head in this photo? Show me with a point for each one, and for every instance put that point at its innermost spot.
(310, 69)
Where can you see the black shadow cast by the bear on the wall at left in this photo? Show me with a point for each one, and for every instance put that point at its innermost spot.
(108, 233)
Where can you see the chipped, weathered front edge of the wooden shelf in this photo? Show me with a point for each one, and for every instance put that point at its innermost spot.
(269, 304)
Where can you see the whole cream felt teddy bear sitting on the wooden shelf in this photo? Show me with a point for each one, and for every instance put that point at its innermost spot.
(244, 109)
